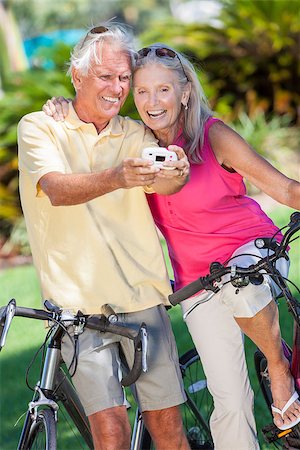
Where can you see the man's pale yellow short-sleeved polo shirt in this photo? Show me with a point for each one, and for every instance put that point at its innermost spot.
(106, 250)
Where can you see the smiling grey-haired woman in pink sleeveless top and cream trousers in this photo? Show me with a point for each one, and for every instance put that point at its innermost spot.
(212, 219)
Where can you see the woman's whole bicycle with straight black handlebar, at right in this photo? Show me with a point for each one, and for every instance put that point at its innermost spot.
(241, 276)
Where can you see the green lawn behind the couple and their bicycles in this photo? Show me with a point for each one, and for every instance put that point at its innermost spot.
(26, 335)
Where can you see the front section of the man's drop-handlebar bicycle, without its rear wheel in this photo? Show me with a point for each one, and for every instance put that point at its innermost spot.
(40, 425)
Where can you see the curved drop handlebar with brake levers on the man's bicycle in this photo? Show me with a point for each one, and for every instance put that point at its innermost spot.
(93, 322)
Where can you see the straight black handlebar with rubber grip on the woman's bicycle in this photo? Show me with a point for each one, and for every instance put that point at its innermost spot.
(217, 270)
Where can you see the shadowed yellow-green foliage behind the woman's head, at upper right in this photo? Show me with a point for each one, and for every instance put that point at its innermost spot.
(251, 59)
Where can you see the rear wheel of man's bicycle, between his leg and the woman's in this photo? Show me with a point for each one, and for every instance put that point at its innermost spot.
(196, 411)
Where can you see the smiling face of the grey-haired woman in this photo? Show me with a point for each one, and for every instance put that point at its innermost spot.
(158, 96)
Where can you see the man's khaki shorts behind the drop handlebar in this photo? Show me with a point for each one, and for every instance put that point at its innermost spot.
(98, 373)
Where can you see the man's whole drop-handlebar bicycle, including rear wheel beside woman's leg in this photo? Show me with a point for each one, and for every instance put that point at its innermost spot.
(54, 391)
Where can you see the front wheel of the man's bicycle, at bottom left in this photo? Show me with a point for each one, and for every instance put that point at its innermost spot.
(42, 432)
